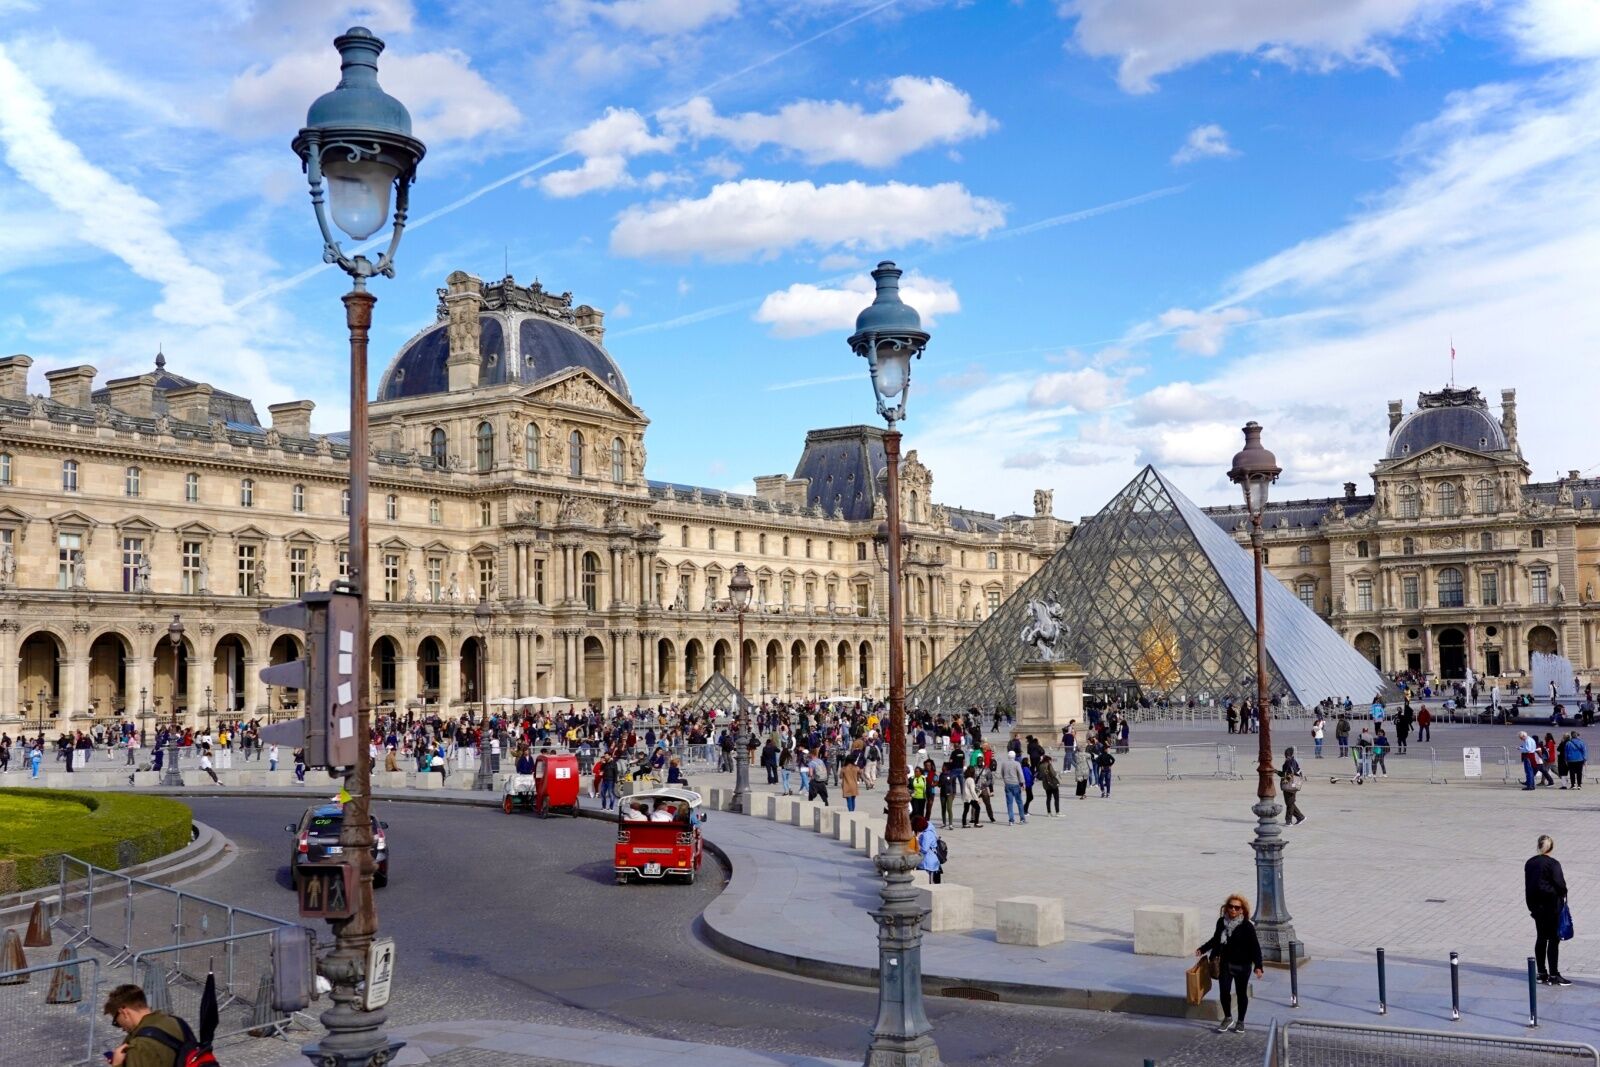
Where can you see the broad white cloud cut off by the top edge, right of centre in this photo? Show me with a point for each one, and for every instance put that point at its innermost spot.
(1154, 38)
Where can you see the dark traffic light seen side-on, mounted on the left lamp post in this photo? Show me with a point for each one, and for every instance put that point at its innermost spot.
(326, 676)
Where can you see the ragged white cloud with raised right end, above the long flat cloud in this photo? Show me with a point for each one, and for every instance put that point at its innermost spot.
(924, 113)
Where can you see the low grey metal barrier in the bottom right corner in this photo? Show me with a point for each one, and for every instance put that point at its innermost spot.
(1308, 1044)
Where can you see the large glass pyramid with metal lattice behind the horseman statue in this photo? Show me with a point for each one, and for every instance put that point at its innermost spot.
(1161, 605)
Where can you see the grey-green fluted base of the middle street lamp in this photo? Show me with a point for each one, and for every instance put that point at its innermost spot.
(902, 1037)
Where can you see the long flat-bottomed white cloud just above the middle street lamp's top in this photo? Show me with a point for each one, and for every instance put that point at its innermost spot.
(764, 218)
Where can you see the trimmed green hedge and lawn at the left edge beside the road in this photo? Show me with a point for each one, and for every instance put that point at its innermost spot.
(110, 831)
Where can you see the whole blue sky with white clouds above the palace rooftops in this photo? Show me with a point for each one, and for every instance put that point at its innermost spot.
(1132, 223)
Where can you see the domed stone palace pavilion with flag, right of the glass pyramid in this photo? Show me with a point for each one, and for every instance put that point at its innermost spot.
(1455, 561)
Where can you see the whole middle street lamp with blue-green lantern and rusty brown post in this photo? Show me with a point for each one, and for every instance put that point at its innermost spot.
(890, 335)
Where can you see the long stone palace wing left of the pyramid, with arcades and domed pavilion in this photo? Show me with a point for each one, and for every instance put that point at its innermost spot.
(513, 519)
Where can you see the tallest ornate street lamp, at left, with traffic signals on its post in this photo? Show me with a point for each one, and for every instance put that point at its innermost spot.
(358, 148)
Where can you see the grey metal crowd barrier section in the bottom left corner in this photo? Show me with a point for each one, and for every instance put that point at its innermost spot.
(41, 1033)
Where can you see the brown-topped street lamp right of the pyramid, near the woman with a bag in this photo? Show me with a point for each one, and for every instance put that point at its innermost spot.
(1255, 470)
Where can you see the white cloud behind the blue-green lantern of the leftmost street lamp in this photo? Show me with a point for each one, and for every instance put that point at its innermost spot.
(447, 98)
